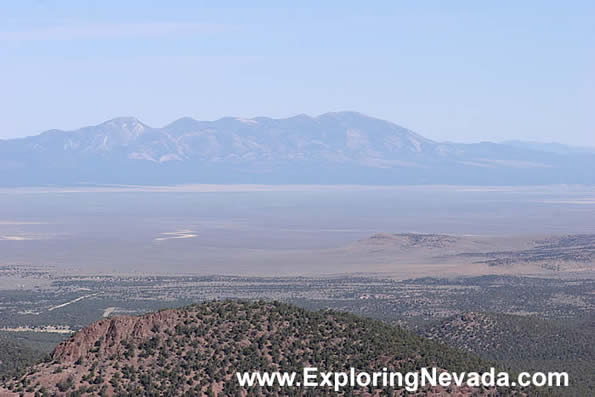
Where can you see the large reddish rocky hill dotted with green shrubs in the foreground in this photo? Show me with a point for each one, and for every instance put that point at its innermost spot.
(197, 350)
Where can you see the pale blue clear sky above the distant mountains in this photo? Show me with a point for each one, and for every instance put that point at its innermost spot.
(463, 71)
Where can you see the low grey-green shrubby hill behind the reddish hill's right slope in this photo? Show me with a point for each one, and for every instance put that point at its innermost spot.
(524, 343)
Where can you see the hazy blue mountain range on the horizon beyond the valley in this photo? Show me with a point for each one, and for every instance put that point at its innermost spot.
(333, 148)
